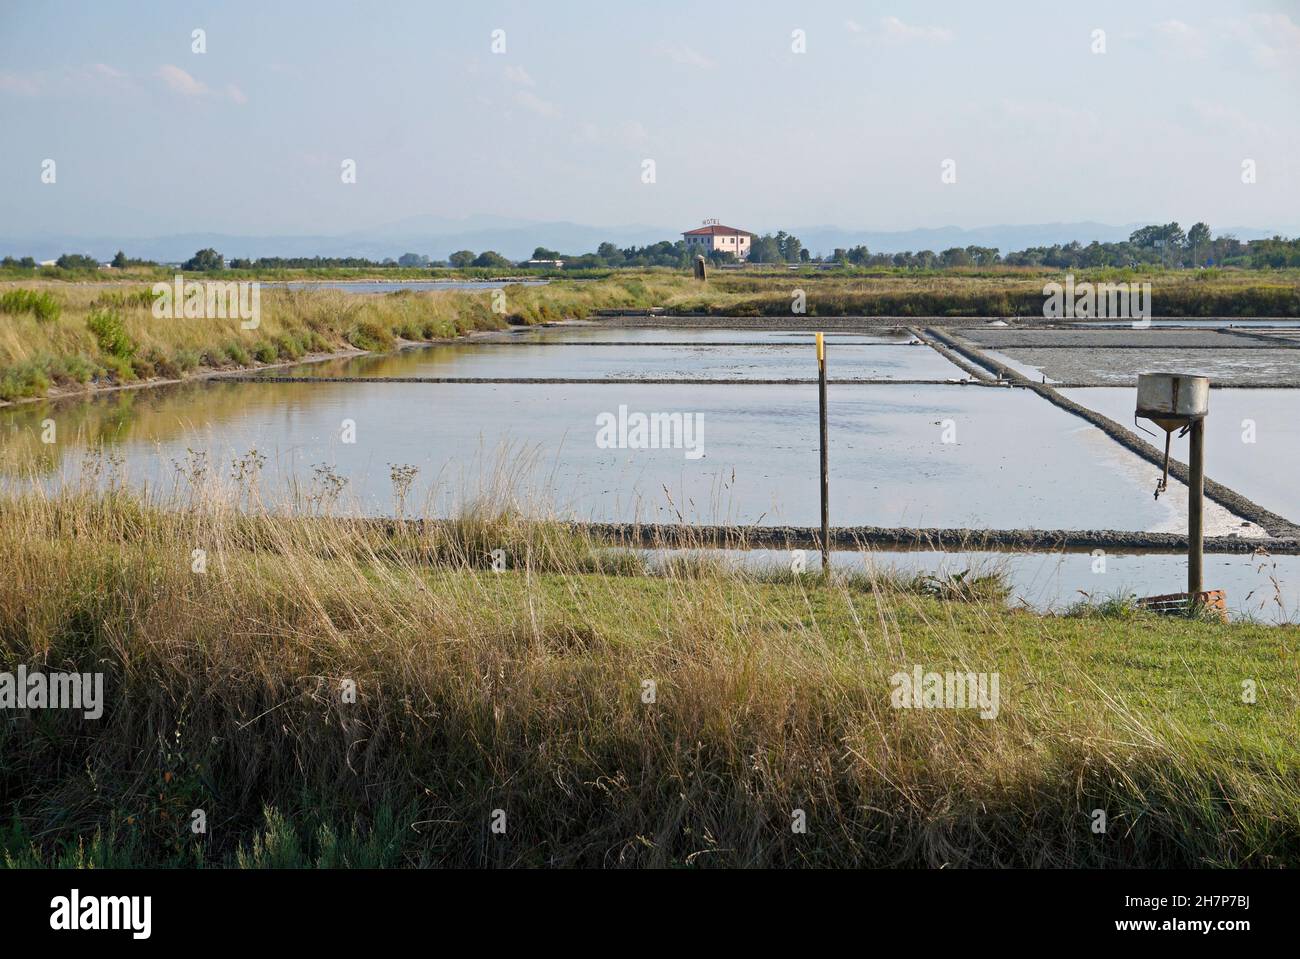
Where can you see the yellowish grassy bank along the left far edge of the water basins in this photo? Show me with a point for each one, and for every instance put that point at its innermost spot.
(107, 335)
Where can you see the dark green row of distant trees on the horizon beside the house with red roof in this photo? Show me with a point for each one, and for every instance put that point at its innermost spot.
(1150, 246)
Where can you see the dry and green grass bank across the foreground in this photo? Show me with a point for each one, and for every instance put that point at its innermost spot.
(523, 691)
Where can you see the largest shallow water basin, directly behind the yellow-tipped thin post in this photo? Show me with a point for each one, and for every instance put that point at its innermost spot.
(1012, 462)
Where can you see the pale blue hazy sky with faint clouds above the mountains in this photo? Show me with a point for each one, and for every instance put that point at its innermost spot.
(762, 115)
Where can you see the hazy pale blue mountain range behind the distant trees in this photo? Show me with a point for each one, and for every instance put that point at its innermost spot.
(439, 237)
